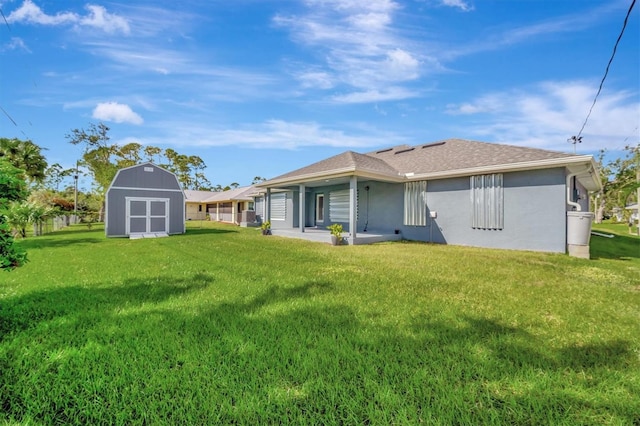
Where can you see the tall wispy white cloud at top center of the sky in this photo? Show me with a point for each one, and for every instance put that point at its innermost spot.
(360, 48)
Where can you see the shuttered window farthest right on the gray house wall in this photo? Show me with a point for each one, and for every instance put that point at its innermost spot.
(487, 201)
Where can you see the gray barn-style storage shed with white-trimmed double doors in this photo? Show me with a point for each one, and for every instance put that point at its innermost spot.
(144, 200)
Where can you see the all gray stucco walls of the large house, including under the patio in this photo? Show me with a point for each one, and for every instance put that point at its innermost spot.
(533, 200)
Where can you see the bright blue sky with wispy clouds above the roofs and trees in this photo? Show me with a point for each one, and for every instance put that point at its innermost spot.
(262, 87)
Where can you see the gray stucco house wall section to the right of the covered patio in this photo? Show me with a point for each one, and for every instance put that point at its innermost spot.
(533, 202)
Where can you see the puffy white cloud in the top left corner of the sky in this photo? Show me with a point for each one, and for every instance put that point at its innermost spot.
(97, 17)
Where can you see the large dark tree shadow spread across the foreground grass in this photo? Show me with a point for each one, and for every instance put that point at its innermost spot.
(137, 353)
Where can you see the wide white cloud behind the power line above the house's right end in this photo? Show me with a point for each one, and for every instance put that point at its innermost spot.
(546, 115)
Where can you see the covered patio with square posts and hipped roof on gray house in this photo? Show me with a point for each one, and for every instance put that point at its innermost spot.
(303, 203)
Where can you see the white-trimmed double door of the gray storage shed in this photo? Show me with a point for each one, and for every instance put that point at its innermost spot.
(147, 215)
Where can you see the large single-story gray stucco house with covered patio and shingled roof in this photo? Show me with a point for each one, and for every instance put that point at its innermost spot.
(451, 192)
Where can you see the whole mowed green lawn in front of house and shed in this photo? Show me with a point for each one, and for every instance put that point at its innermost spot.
(223, 325)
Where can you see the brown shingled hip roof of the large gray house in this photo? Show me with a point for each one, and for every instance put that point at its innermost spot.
(442, 159)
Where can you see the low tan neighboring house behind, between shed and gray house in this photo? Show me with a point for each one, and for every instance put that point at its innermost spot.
(232, 206)
